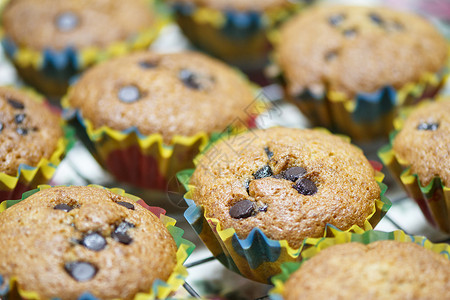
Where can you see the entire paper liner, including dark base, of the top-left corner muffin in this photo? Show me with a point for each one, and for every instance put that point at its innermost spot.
(50, 70)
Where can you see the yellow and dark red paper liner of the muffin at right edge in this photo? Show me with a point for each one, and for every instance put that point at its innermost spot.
(433, 199)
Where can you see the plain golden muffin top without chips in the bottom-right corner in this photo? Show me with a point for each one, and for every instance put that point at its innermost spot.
(379, 270)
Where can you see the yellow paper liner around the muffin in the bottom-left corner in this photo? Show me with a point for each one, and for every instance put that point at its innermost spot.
(159, 290)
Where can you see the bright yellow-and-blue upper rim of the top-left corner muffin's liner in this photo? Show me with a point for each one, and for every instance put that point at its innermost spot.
(80, 59)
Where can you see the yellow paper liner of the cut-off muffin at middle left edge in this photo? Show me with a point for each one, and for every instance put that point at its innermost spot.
(29, 177)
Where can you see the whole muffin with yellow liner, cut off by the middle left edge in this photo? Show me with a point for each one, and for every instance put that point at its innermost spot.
(32, 142)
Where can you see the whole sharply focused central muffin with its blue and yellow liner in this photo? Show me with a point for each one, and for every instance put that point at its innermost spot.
(267, 191)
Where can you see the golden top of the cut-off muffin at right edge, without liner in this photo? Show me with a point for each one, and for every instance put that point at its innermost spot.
(424, 142)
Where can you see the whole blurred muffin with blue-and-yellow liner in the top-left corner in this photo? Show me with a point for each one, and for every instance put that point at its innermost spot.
(50, 41)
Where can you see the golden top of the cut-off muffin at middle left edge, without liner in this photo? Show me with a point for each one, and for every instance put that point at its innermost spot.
(29, 131)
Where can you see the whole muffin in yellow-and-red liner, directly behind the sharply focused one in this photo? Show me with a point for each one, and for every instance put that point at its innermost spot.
(149, 114)
